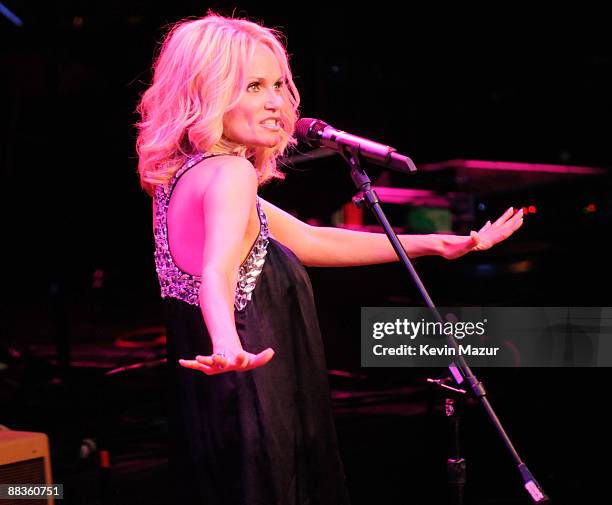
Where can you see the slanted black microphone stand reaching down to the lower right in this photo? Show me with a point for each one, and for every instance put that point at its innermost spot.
(460, 369)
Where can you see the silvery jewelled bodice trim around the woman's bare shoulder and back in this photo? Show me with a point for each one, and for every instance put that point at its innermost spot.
(175, 283)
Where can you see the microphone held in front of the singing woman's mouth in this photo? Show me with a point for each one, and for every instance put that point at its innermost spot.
(317, 133)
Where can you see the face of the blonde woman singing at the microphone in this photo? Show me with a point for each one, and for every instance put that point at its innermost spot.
(256, 120)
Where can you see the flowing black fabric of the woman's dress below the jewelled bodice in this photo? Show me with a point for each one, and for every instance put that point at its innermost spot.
(265, 436)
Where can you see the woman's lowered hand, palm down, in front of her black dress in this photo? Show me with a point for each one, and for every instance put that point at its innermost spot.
(228, 361)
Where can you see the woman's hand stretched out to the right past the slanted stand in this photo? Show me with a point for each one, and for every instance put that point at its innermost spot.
(454, 246)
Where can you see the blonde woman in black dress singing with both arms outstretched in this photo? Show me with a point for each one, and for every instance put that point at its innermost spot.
(251, 419)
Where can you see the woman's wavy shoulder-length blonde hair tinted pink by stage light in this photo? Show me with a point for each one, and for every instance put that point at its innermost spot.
(198, 77)
